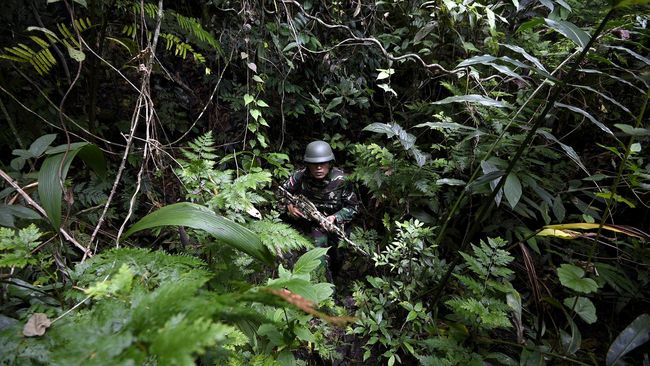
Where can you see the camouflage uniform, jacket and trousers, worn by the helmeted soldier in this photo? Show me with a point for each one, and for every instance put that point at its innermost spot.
(332, 195)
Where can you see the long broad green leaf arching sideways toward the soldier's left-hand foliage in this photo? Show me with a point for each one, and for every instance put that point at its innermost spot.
(199, 217)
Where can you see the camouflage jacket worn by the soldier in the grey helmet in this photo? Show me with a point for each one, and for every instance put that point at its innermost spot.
(332, 195)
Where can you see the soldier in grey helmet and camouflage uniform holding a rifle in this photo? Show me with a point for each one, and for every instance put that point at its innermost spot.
(326, 187)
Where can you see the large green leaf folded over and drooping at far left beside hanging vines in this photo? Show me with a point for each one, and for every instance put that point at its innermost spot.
(54, 170)
